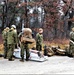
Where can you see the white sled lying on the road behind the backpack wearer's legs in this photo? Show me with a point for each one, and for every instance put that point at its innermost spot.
(34, 55)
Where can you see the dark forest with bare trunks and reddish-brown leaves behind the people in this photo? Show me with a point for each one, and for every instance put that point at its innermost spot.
(51, 15)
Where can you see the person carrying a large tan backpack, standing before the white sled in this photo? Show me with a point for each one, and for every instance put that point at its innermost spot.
(26, 39)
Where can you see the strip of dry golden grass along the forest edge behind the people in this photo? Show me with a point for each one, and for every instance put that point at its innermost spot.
(61, 43)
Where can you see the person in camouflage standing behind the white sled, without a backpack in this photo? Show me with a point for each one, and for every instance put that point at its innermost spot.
(39, 39)
